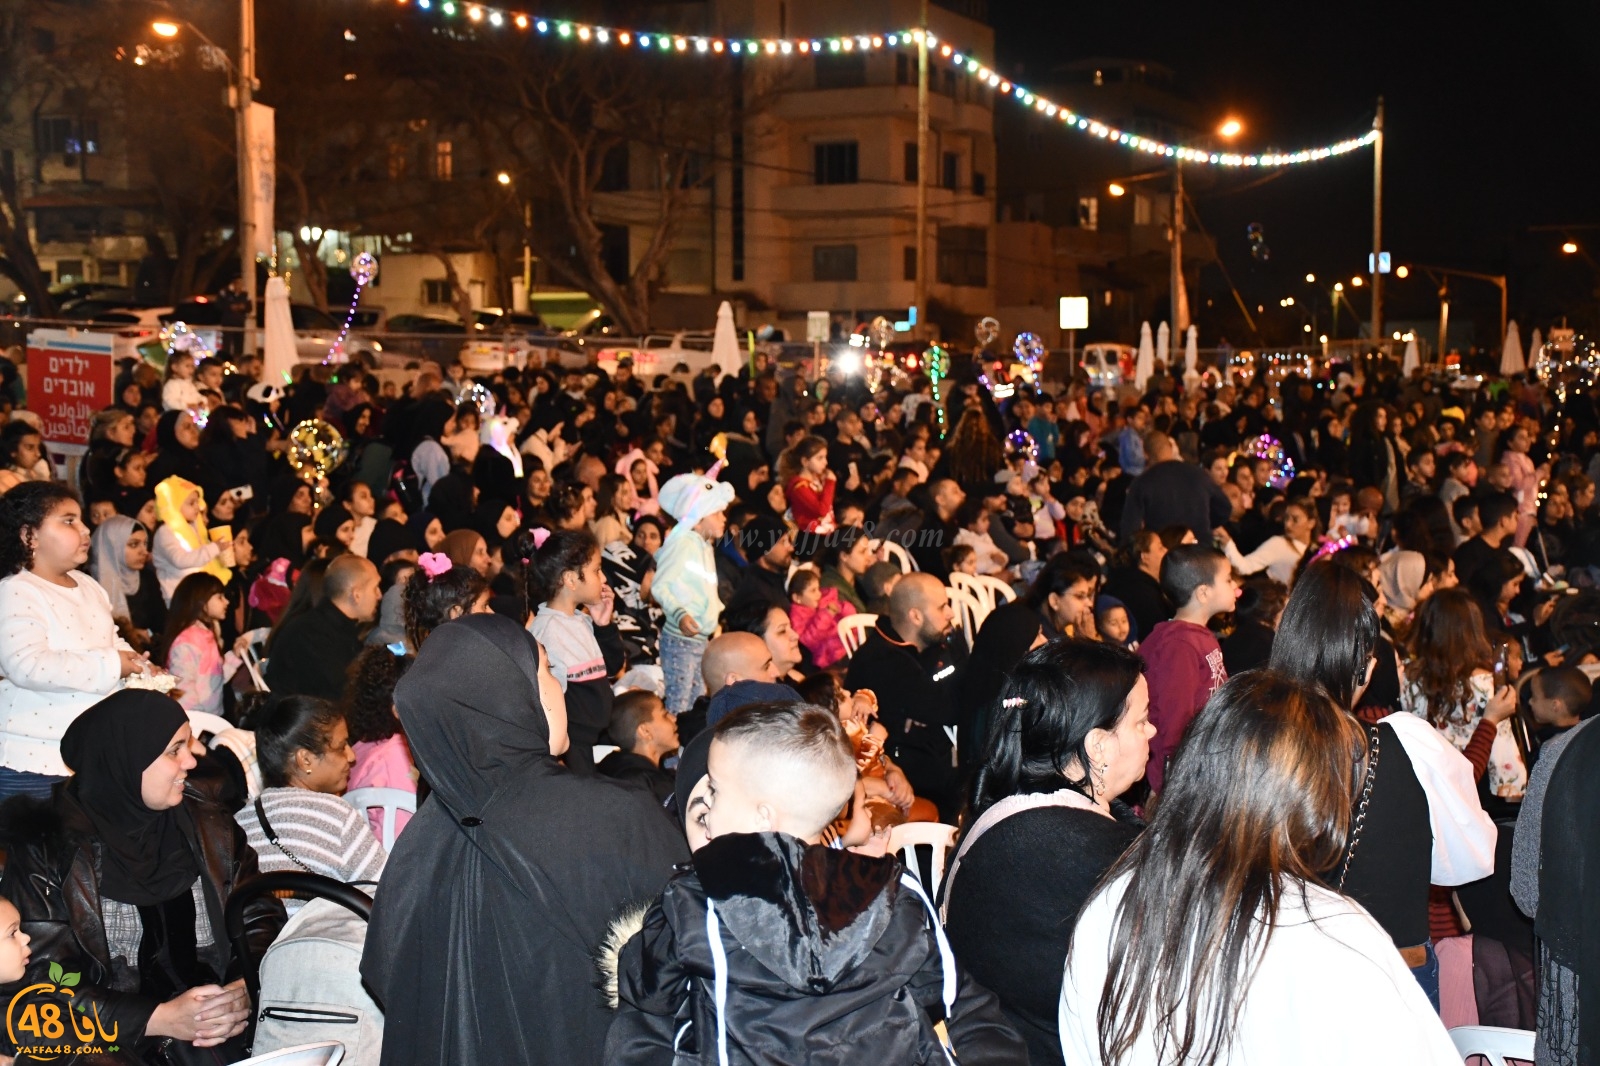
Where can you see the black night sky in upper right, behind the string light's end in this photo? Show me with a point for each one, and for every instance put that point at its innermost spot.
(1494, 126)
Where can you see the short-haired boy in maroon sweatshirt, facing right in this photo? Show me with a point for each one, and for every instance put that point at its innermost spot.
(1183, 662)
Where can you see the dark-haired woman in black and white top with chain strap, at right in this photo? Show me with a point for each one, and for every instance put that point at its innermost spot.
(1329, 638)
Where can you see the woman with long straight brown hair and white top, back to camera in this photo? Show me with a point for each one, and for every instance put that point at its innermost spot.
(1214, 940)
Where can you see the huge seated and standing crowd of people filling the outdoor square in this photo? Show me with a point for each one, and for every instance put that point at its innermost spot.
(1257, 710)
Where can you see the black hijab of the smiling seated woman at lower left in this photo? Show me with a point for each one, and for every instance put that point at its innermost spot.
(148, 859)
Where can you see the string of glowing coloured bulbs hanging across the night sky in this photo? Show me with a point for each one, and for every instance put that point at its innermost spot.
(938, 50)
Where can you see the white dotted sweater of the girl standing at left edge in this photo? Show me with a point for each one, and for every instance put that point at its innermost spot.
(58, 657)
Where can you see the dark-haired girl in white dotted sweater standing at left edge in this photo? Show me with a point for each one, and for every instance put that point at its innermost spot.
(60, 652)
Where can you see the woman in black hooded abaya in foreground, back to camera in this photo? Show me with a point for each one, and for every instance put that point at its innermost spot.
(495, 961)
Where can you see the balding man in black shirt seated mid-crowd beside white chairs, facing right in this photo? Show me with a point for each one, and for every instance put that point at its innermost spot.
(914, 667)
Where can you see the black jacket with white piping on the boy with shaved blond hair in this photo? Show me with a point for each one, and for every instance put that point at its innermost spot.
(830, 960)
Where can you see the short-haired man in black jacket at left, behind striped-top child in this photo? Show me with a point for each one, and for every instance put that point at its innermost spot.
(313, 651)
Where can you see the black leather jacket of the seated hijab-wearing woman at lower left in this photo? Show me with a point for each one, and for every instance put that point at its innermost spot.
(54, 875)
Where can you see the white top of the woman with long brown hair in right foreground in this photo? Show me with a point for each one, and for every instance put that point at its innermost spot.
(1330, 990)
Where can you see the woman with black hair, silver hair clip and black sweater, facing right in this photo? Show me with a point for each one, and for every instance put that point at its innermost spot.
(1071, 732)
